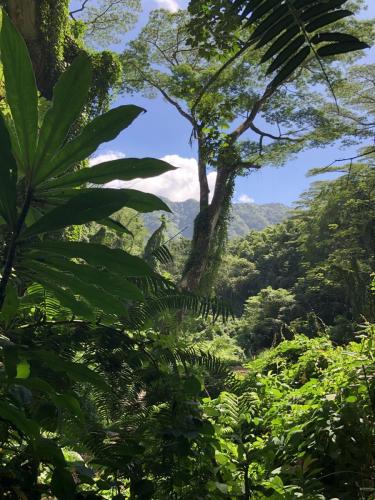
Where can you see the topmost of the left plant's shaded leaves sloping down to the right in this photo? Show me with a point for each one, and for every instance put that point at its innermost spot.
(113, 259)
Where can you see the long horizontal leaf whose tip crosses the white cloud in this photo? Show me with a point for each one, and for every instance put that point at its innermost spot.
(125, 169)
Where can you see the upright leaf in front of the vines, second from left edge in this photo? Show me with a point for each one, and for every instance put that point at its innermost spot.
(69, 96)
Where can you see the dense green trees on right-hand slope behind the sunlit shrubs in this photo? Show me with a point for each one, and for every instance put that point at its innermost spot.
(323, 255)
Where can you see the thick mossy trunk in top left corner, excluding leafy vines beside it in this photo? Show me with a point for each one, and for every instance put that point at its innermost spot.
(43, 24)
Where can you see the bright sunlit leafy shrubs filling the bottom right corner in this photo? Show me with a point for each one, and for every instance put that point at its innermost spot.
(299, 424)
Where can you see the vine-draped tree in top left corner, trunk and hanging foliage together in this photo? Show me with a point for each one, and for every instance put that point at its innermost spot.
(54, 40)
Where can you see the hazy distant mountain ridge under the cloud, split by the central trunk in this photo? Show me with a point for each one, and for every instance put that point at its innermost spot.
(245, 216)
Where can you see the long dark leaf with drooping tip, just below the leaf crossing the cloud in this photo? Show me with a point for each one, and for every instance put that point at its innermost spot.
(94, 204)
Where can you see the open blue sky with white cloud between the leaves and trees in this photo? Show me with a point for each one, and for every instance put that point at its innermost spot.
(161, 132)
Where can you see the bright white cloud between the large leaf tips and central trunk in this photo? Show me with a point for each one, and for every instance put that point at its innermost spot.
(178, 185)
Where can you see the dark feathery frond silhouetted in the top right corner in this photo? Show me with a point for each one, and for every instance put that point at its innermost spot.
(287, 27)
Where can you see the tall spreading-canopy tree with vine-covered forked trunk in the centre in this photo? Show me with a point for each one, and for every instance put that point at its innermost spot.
(240, 119)
